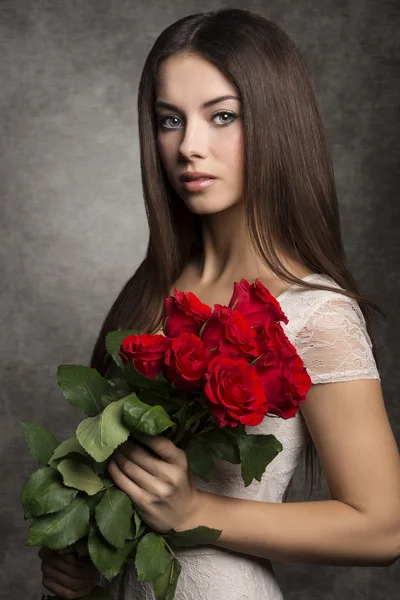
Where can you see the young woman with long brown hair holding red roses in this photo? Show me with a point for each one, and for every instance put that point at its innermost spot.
(226, 96)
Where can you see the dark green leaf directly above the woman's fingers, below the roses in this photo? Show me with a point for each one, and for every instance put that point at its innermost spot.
(149, 419)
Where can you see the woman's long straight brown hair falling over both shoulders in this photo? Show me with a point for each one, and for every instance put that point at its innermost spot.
(289, 187)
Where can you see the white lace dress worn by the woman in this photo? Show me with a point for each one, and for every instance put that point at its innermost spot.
(329, 332)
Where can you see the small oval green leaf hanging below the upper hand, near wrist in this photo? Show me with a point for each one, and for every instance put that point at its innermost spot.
(152, 557)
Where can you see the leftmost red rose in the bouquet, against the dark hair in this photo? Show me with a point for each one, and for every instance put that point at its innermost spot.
(146, 351)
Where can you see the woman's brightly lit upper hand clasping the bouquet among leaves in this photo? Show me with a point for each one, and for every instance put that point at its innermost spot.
(161, 487)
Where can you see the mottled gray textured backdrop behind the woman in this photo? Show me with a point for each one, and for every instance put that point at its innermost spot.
(73, 225)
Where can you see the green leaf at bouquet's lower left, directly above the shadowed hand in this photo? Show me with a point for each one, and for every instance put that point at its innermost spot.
(60, 529)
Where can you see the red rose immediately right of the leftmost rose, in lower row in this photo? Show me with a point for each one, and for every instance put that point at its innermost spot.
(186, 362)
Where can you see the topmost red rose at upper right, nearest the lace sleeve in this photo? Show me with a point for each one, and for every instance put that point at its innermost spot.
(256, 304)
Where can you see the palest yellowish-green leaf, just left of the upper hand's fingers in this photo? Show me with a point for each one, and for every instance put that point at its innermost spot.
(102, 434)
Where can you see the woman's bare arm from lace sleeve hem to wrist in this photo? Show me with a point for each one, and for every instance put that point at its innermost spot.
(360, 526)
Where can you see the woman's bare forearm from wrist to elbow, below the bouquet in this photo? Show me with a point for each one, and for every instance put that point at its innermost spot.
(324, 532)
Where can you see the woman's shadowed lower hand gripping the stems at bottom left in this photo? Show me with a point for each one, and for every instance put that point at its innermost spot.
(67, 575)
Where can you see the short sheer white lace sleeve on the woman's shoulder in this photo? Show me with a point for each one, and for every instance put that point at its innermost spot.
(334, 343)
